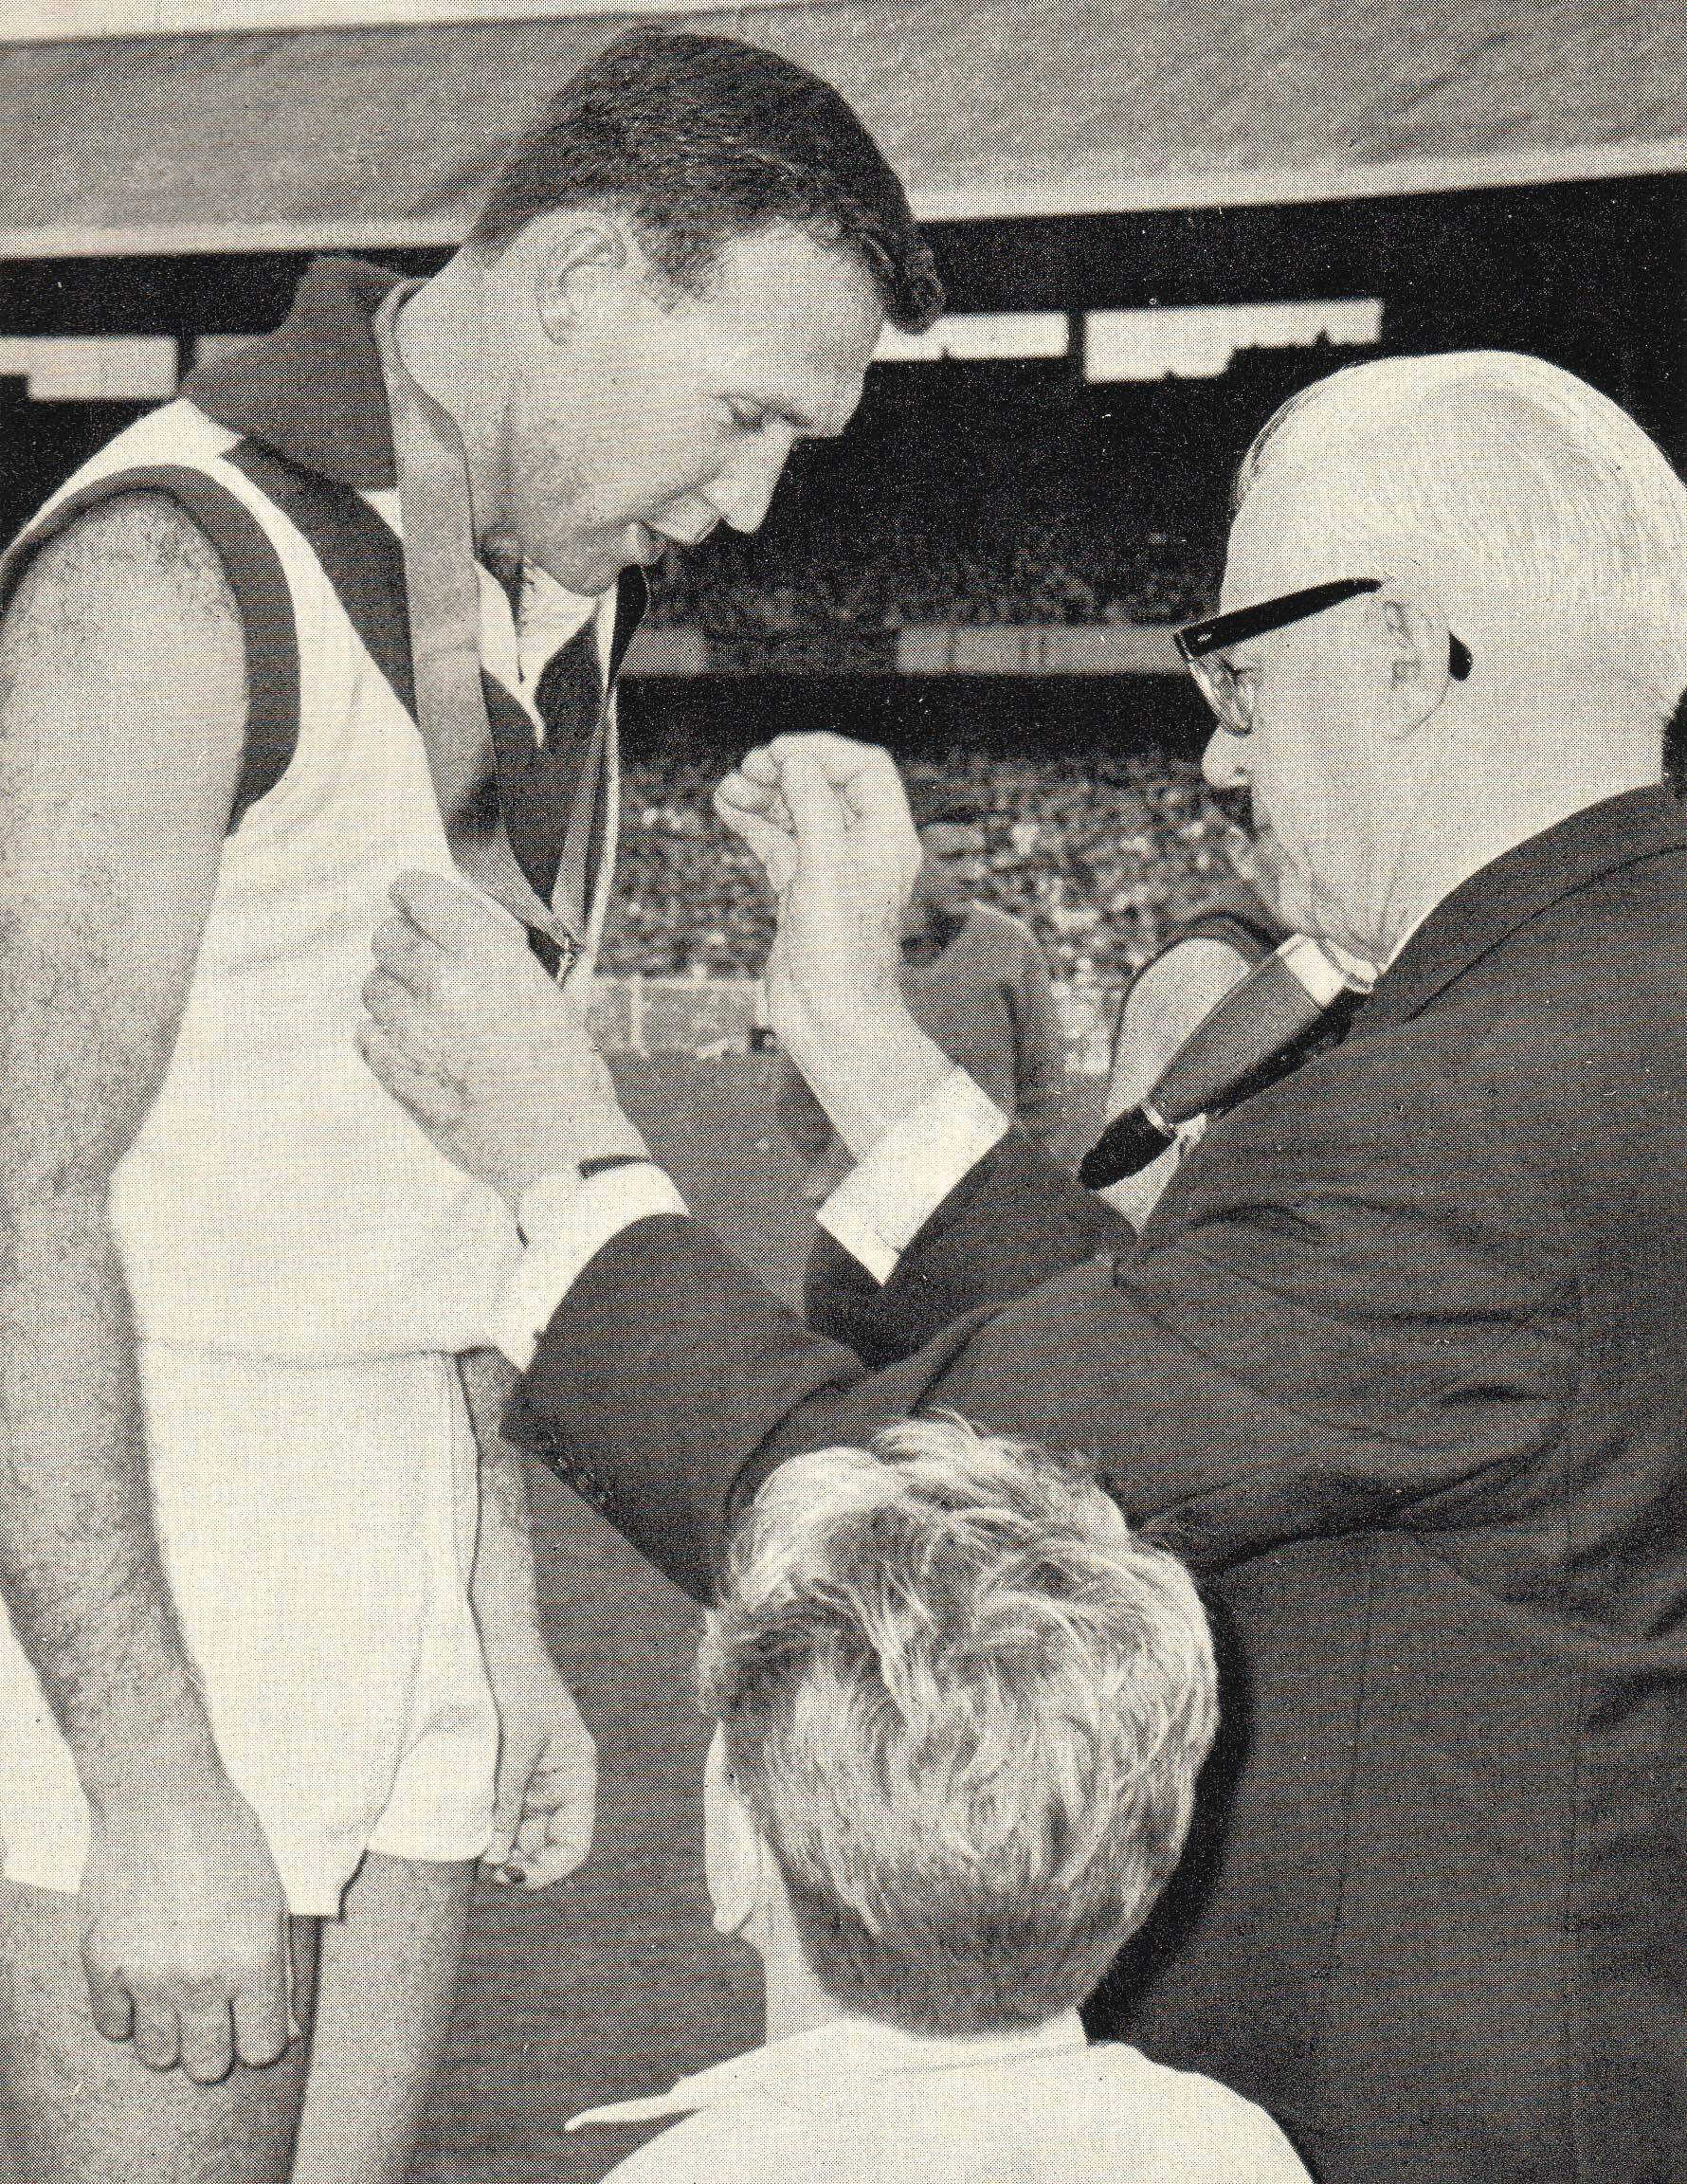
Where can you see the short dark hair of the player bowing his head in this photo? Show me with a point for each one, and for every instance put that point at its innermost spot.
(702, 139)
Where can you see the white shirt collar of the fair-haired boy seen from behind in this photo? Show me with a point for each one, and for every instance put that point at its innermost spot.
(841, 2047)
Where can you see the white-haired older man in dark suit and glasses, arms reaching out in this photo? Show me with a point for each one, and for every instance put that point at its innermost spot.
(1398, 1360)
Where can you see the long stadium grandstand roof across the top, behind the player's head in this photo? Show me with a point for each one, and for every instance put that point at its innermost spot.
(385, 136)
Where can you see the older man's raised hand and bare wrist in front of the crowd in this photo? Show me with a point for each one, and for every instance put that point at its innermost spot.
(833, 831)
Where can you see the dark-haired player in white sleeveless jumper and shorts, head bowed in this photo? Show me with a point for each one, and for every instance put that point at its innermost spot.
(243, 1676)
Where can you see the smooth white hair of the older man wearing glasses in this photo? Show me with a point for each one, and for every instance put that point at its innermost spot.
(1509, 477)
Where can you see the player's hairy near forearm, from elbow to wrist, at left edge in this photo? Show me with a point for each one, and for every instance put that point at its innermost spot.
(80, 1563)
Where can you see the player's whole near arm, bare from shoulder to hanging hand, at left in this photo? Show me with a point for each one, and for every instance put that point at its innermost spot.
(121, 731)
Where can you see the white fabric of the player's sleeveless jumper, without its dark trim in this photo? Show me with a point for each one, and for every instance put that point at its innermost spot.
(276, 1200)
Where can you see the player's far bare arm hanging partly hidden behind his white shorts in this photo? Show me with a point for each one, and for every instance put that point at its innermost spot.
(547, 1759)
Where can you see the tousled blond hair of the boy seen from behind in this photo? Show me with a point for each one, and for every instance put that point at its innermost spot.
(966, 1709)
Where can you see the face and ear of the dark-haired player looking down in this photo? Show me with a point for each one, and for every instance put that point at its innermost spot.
(662, 414)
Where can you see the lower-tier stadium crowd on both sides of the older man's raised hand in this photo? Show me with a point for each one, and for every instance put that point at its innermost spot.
(1101, 857)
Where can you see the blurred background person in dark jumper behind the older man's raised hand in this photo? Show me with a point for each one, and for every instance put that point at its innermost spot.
(979, 988)
